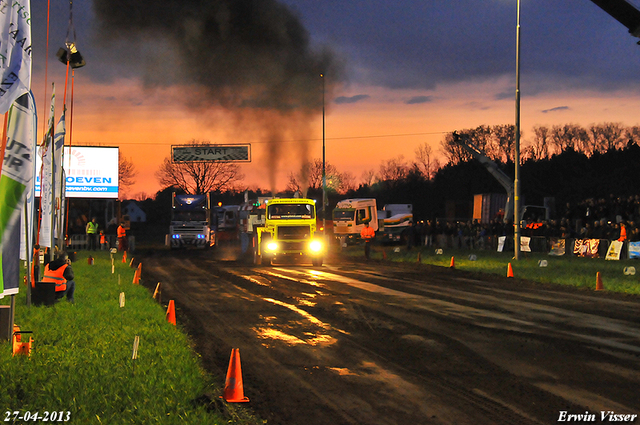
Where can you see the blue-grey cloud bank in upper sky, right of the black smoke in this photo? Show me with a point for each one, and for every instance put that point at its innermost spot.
(417, 44)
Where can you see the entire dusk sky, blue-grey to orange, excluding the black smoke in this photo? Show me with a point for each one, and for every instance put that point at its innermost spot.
(577, 67)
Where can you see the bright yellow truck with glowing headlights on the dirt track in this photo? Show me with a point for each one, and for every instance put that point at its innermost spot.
(289, 231)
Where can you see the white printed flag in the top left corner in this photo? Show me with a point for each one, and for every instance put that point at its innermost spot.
(15, 51)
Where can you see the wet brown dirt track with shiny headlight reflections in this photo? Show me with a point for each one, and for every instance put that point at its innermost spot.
(382, 343)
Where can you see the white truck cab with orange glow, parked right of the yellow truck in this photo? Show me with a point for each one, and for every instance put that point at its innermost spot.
(349, 217)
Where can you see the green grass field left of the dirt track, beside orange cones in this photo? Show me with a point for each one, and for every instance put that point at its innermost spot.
(82, 358)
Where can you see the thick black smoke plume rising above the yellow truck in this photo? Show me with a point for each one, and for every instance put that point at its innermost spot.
(251, 57)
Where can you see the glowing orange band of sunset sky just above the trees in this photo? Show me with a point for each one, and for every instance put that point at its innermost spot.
(358, 137)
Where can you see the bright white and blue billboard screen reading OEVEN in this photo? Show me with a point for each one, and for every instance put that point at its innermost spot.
(91, 172)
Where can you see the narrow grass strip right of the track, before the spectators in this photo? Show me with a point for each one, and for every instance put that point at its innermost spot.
(565, 270)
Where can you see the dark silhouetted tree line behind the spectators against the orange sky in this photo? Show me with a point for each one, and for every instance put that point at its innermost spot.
(567, 162)
